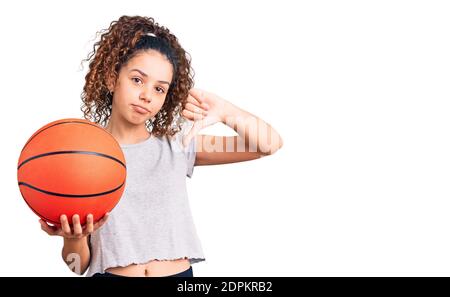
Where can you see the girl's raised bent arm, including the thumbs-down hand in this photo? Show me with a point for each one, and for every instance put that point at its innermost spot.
(256, 137)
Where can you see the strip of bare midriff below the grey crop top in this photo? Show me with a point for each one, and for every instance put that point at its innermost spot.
(153, 268)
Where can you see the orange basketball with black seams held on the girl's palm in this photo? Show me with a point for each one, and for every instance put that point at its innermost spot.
(71, 166)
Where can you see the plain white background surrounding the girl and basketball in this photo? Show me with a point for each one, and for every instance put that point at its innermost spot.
(359, 91)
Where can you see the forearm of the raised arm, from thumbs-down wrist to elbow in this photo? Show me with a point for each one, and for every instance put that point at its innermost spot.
(259, 136)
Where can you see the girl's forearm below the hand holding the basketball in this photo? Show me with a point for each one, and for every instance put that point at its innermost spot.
(76, 254)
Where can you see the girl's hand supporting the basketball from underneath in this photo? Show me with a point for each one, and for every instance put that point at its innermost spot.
(78, 231)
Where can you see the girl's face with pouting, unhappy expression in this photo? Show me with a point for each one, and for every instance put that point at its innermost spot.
(141, 87)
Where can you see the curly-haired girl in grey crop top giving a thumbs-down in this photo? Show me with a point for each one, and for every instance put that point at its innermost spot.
(139, 87)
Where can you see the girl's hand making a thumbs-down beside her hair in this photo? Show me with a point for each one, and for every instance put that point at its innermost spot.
(205, 109)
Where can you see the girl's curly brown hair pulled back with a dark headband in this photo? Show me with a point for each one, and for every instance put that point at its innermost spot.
(123, 40)
